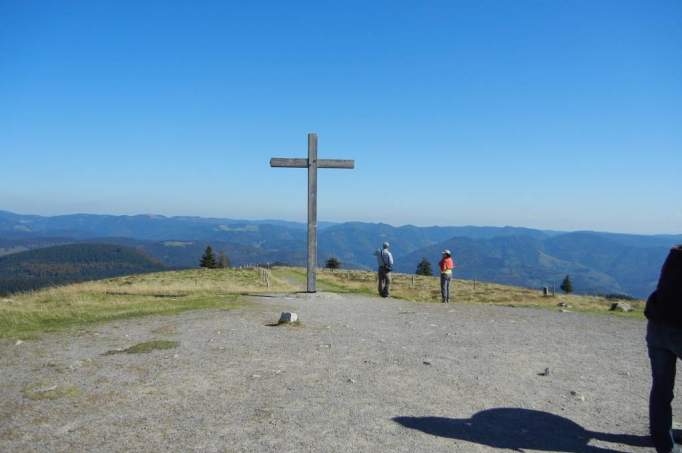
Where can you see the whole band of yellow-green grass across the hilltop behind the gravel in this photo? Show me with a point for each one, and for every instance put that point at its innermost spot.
(27, 314)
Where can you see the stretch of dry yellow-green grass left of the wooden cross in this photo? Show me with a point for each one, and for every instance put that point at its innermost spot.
(25, 315)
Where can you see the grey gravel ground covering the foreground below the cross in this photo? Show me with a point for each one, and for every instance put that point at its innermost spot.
(359, 374)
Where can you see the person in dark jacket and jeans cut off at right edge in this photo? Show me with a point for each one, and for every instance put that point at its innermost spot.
(664, 342)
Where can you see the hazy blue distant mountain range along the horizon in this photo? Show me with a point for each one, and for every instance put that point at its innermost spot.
(597, 262)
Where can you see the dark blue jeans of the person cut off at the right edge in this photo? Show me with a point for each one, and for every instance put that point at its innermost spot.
(665, 347)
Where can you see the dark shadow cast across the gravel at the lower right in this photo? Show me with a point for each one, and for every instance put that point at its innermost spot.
(520, 429)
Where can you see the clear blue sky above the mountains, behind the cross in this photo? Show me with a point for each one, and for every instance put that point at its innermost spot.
(549, 114)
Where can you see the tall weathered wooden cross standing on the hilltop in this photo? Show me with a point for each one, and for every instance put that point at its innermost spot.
(312, 164)
